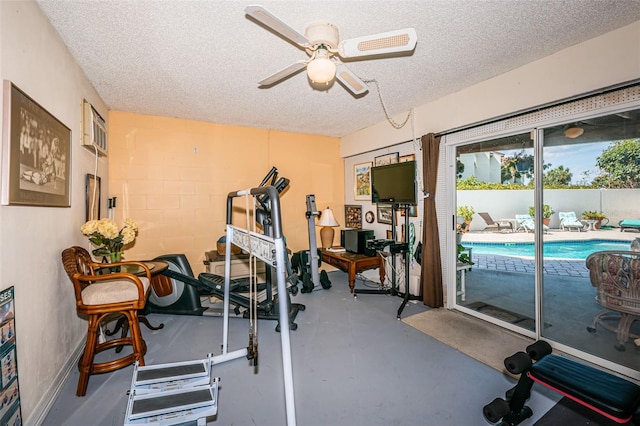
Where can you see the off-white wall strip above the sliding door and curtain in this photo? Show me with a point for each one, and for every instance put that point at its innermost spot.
(601, 62)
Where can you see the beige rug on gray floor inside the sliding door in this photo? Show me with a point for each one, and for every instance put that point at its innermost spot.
(478, 339)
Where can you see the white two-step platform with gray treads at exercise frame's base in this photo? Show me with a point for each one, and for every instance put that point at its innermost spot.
(181, 393)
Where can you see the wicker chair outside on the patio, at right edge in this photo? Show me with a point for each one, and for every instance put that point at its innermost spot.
(616, 276)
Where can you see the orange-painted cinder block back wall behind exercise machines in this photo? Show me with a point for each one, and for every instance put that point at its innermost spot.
(172, 176)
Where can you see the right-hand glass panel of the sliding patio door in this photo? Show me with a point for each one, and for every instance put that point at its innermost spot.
(591, 183)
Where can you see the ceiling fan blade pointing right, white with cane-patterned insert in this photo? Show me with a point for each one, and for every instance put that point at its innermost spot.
(377, 44)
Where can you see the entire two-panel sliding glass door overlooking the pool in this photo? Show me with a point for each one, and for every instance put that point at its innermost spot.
(530, 208)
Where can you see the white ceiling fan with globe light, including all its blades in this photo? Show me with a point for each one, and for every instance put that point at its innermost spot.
(322, 43)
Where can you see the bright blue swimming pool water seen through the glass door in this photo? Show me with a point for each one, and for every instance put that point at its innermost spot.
(552, 249)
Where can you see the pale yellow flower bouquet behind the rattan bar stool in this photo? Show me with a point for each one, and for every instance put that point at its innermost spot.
(107, 238)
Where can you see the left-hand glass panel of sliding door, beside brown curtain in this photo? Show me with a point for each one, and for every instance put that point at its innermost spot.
(494, 230)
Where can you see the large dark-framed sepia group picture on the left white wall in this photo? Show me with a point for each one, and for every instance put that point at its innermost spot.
(36, 150)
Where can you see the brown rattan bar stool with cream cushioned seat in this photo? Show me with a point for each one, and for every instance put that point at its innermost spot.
(102, 297)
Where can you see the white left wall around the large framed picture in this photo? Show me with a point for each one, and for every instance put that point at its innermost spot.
(48, 329)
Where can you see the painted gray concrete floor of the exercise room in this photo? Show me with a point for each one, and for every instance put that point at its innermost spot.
(354, 364)
